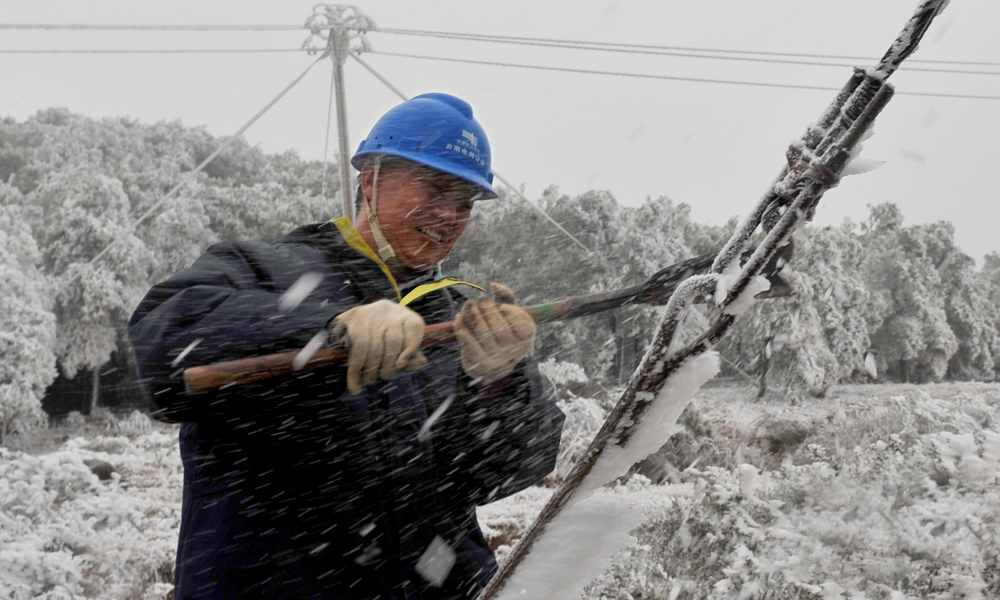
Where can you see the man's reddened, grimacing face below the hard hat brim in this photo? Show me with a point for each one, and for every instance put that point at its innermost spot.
(422, 212)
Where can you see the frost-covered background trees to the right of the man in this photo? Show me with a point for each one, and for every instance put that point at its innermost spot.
(904, 294)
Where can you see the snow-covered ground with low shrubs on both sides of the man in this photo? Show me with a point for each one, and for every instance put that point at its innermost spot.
(886, 491)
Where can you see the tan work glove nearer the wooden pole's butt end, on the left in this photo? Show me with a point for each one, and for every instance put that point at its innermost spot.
(381, 337)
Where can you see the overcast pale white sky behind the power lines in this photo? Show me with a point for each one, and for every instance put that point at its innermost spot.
(713, 146)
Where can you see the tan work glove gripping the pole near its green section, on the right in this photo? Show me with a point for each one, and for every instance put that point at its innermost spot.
(495, 335)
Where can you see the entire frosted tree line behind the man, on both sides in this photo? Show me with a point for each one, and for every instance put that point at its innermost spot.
(70, 185)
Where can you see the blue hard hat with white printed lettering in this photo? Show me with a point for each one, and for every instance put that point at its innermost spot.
(435, 130)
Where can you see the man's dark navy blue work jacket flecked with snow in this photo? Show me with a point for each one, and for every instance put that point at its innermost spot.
(293, 488)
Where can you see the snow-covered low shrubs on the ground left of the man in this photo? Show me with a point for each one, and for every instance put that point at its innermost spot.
(66, 534)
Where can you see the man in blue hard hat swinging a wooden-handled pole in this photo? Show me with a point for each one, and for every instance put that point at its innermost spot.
(357, 481)
